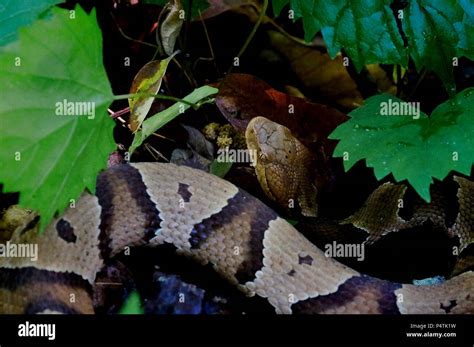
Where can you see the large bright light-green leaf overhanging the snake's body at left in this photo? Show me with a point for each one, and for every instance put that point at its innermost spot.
(55, 133)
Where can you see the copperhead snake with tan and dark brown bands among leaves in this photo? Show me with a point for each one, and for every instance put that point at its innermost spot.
(212, 221)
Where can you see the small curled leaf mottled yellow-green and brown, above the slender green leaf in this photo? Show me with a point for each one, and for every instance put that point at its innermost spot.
(146, 84)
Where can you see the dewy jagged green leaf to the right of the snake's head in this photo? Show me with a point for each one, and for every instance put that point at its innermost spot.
(410, 145)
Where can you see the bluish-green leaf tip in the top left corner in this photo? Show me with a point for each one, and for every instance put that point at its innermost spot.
(17, 13)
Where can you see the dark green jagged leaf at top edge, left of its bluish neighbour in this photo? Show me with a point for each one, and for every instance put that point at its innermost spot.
(366, 29)
